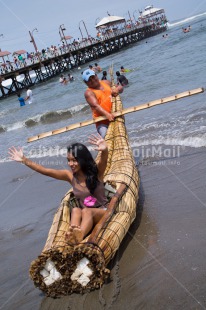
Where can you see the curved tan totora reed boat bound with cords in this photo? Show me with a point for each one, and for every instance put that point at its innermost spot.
(62, 269)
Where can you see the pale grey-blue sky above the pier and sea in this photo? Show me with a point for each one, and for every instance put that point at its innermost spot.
(17, 17)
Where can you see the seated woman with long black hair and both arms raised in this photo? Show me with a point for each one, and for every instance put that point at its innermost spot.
(86, 178)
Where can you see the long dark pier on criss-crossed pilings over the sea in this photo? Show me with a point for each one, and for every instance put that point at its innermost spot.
(74, 55)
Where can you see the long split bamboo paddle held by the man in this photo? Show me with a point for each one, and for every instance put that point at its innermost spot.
(119, 113)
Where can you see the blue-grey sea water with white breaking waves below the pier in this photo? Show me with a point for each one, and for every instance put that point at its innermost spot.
(160, 67)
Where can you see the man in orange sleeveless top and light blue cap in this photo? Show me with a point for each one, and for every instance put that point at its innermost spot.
(99, 96)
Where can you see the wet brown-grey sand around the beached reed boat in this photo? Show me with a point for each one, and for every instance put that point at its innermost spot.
(161, 262)
